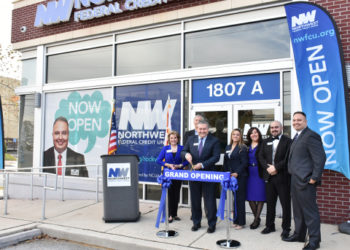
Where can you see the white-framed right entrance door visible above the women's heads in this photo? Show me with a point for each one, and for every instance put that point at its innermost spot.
(256, 115)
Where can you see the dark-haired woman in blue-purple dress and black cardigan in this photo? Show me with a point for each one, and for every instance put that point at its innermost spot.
(255, 184)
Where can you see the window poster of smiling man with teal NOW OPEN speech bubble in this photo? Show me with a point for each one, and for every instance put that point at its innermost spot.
(76, 131)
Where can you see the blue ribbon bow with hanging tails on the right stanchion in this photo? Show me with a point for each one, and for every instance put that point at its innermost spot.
(227, 184)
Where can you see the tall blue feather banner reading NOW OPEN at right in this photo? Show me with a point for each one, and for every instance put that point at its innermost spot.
(321, 79)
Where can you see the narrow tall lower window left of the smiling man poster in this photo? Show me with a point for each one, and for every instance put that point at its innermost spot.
(26, 131)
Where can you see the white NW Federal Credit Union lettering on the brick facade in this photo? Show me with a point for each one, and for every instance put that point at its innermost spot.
(60, 11)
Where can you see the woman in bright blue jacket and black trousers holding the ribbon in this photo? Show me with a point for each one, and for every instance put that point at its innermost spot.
(170, 157)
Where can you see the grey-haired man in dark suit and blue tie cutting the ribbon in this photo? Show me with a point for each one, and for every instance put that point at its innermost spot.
(202, 152)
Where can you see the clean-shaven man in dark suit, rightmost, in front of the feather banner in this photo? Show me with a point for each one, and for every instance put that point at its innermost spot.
(306, 161)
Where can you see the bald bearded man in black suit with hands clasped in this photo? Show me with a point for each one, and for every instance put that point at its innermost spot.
(277, 180)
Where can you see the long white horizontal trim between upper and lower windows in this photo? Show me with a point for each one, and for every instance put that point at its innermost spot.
(174, 75)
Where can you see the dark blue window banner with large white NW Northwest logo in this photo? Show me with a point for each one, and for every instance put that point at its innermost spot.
(141, 117)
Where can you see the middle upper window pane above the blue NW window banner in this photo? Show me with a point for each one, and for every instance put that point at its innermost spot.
(149, 55)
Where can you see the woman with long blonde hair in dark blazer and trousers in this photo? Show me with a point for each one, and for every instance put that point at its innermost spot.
(236, 162)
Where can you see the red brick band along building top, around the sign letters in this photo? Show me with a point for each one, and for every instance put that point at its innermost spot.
(26, 16)
